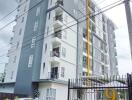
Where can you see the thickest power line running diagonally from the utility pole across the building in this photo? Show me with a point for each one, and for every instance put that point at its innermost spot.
(75, 23)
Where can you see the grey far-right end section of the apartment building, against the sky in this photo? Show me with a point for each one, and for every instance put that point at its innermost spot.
(112, 48)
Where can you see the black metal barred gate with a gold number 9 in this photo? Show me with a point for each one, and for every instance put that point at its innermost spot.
(100, 88)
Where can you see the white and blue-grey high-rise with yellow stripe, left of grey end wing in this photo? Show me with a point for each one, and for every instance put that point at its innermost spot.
(50, 46)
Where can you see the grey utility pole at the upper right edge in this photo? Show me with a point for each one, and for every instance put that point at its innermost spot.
(129, 21)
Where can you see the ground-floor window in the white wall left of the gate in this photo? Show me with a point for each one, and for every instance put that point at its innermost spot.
(51, 94)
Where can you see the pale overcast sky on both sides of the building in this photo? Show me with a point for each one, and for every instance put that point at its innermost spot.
(117, 15)
